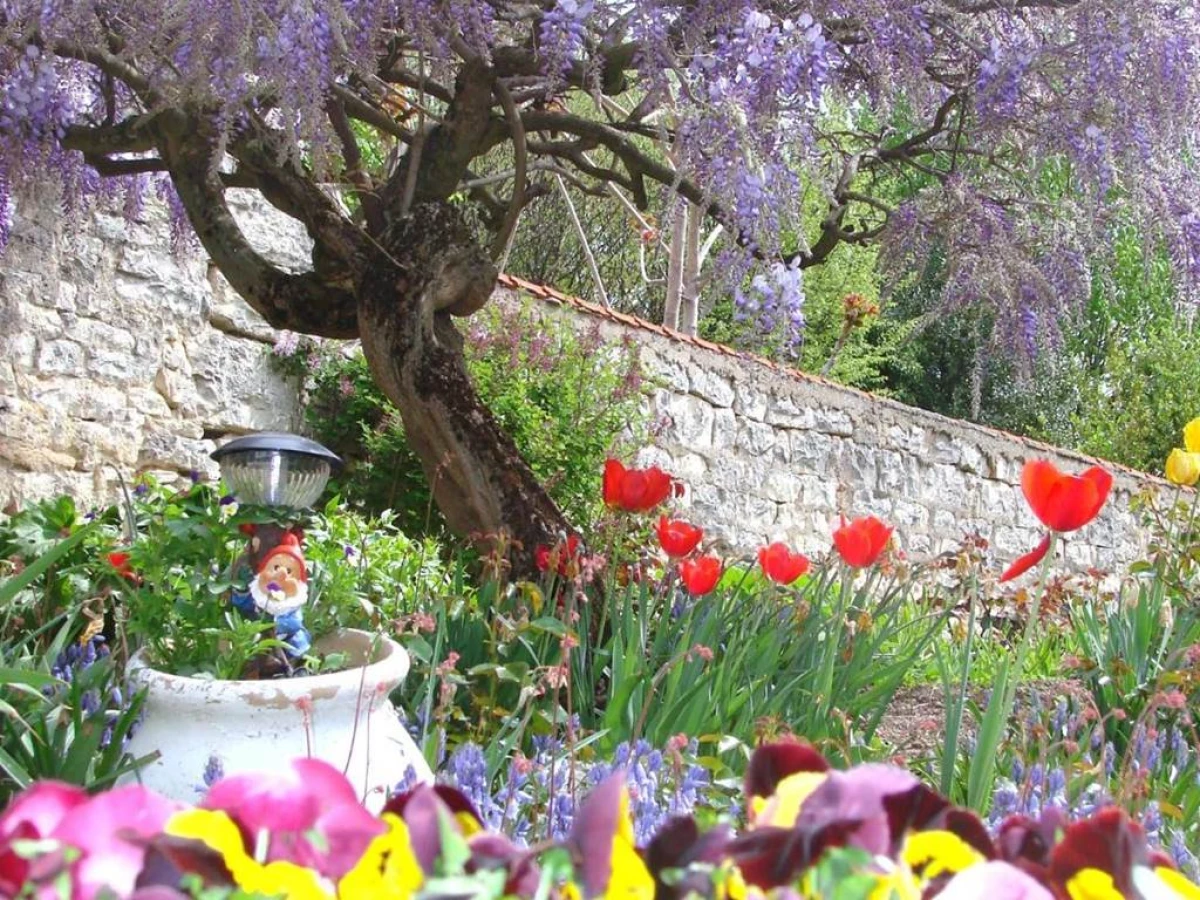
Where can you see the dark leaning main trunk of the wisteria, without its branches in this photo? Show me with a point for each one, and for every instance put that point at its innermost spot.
(431, 268)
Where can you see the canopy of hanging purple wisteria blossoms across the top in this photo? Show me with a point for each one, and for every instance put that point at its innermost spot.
(1016, 124)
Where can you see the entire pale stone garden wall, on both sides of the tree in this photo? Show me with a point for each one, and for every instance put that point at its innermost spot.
(115, 356)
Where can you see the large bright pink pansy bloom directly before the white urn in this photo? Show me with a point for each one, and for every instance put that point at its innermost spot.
(291, 802)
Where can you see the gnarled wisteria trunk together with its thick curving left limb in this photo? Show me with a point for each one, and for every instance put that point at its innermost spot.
(397, 292)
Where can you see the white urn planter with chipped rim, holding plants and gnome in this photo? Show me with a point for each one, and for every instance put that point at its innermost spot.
(344, 718)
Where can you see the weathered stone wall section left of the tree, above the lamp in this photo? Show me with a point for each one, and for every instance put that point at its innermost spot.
(117, 356)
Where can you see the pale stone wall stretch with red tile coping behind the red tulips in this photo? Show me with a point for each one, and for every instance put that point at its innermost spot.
(772, 454)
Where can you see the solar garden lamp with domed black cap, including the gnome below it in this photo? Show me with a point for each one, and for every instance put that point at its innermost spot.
(285, 472)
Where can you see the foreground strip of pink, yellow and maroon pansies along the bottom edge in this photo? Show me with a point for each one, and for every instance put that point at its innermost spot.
(868, 832)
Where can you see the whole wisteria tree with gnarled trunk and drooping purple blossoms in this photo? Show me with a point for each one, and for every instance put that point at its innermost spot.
(1015, 123)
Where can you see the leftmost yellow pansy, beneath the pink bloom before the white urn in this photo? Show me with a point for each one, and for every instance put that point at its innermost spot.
(219, 833)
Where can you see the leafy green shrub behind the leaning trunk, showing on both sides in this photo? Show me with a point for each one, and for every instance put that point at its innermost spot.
(568, 400)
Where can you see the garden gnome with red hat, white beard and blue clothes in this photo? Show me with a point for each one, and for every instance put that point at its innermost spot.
(279, 590)
